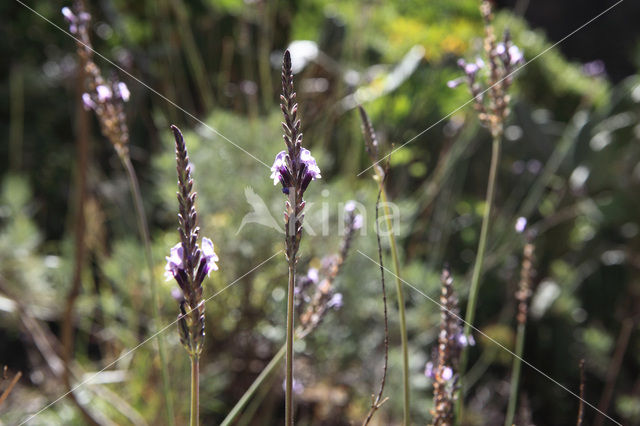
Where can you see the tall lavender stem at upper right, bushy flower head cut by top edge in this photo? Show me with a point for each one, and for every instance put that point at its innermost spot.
(503, 59)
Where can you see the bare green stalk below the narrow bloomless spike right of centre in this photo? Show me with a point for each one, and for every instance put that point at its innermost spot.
(403, 322)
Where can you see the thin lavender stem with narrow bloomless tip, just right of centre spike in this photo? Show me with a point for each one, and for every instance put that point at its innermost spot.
(372, 147)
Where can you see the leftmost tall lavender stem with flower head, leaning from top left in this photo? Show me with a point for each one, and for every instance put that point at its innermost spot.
(106, 98)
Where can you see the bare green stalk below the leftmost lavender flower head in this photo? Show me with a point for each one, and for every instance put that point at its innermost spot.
(144, 234)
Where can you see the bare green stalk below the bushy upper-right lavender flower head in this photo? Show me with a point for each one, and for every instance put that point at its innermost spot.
(477, 268)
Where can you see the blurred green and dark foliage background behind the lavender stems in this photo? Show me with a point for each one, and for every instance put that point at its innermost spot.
(570, 165)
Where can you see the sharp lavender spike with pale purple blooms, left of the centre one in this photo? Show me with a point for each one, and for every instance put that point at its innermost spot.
(189, 264)
